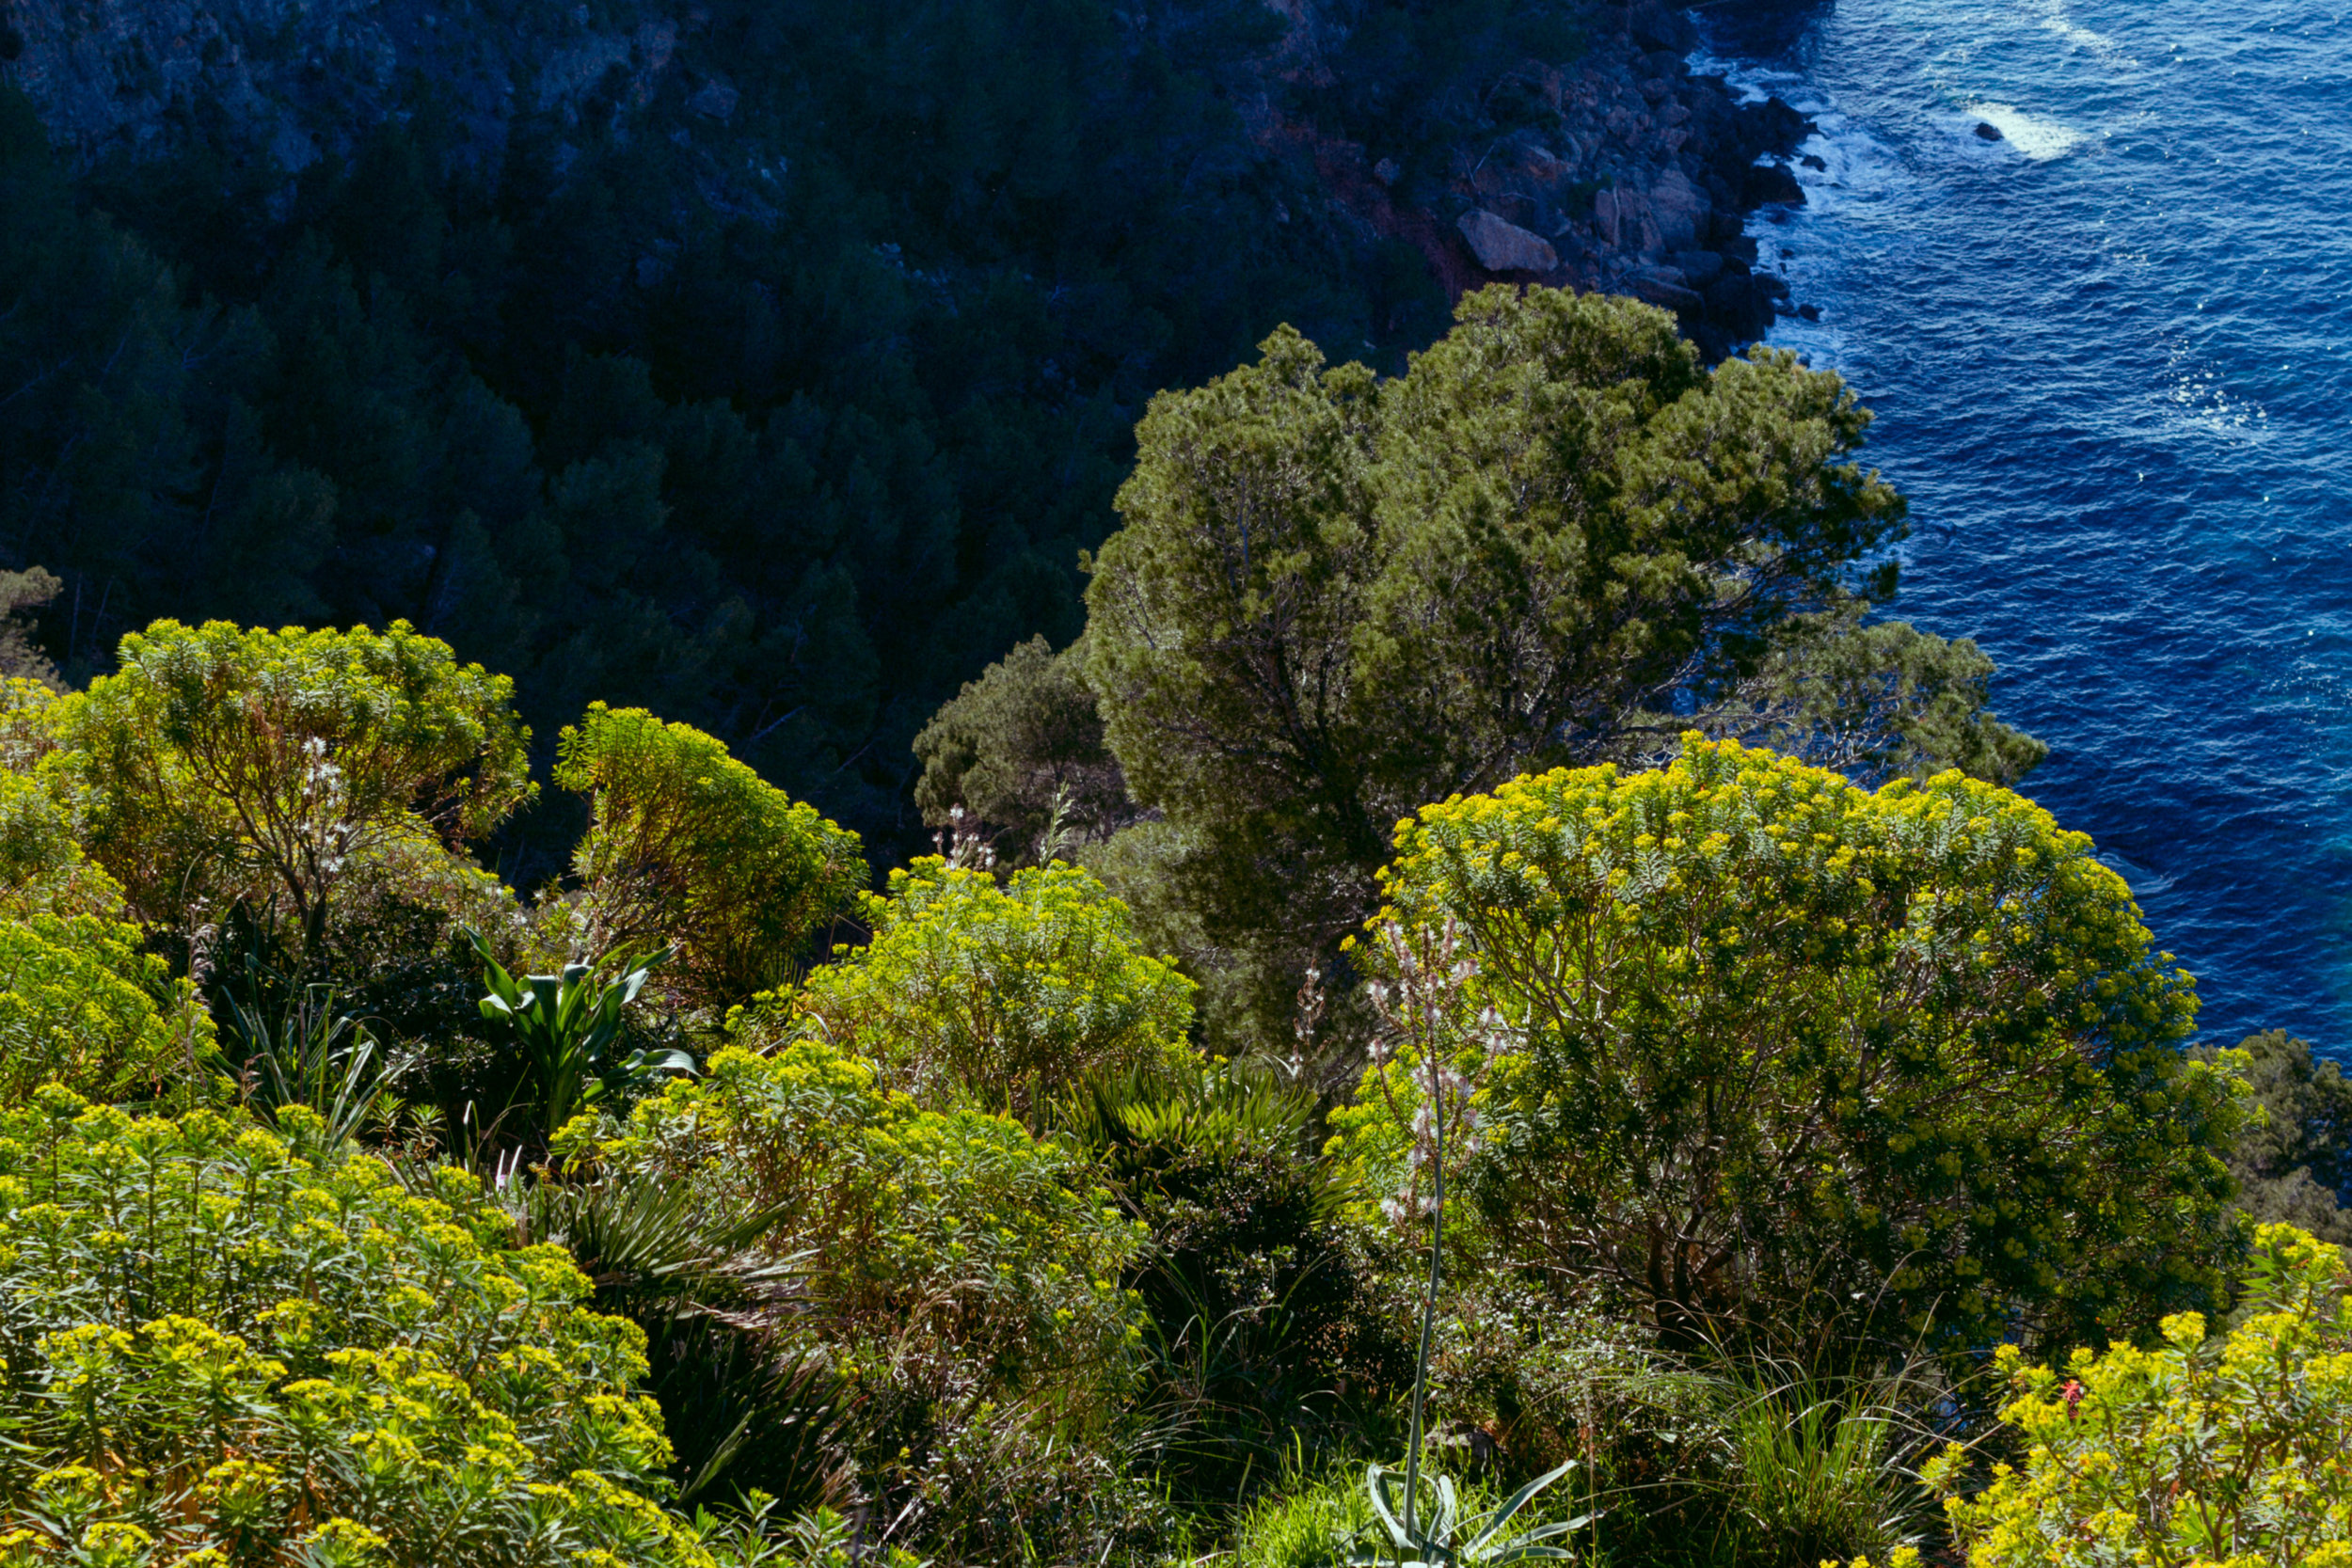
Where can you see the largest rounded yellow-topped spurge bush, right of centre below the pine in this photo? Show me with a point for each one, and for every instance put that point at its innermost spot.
(1775, 1054)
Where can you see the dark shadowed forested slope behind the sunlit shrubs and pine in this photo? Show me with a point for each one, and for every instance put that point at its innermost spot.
(763, 363)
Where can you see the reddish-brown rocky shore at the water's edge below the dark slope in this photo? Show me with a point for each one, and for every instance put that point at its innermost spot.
(1638, 182)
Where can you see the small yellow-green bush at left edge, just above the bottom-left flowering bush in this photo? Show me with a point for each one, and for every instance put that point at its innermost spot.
(86, 1007)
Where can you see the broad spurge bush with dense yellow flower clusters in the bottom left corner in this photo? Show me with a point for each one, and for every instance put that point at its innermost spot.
(234, 1348)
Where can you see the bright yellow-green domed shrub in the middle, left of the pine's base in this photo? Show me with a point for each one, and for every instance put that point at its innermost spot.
(1005, 993)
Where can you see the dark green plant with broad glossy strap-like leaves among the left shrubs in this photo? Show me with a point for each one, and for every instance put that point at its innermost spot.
(570, 1028)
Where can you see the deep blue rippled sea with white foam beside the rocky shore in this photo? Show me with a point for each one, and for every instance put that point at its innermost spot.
(2111, 356)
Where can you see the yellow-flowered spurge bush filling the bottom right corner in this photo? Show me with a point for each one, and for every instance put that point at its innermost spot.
(2196, 1454)
